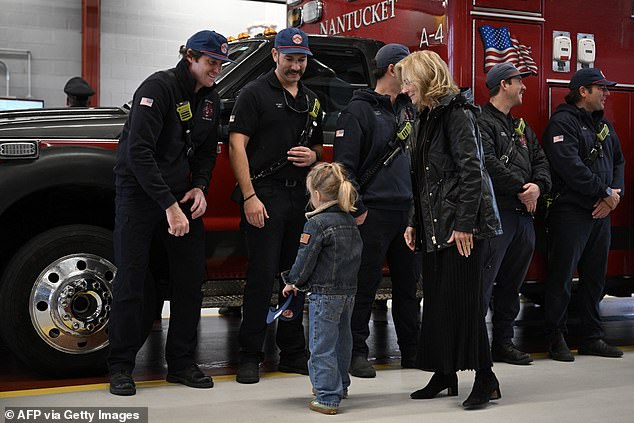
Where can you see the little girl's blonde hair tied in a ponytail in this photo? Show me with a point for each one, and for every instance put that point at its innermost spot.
(333, 185)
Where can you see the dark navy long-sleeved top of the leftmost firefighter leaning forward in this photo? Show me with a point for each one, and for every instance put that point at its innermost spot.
(152, 154)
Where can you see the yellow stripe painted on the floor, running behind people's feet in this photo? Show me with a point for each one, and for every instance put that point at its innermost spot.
(222, 378)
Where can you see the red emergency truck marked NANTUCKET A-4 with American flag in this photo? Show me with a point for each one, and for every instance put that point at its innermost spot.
(553, 38)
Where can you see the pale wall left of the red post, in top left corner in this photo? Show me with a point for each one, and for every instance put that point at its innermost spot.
(51, 31)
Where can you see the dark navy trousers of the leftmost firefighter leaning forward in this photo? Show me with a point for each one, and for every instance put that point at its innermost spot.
(138, 219)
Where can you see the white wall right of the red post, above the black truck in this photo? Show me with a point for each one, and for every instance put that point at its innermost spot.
(139, 37)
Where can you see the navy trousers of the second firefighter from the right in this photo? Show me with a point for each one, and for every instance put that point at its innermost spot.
(506, 261)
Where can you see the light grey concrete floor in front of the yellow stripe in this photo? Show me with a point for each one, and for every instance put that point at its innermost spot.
(591, 389)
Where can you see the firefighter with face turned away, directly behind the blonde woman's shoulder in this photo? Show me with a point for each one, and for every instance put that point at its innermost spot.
(366, 129)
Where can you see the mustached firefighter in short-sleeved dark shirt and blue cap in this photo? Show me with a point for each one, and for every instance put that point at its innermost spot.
(275, 136)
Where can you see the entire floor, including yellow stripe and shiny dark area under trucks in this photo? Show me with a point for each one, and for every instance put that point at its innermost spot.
(592, 389)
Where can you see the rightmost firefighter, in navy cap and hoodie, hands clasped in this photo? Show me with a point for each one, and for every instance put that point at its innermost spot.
(588, 176)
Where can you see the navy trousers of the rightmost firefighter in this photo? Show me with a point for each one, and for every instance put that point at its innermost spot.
(576, 241)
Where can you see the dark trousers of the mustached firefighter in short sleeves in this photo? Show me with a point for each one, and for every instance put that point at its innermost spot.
(272, 249)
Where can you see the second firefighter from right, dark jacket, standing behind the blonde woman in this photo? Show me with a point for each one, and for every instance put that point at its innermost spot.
(520, 175)
